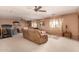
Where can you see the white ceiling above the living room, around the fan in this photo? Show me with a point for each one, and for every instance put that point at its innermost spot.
(28, 13)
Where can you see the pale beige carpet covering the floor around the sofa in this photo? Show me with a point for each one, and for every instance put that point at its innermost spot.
(55, 44)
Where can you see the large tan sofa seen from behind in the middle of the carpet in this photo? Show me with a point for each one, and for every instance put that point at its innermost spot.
(35, 36)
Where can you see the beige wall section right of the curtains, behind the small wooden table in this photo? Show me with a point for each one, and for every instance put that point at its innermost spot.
(72, 22)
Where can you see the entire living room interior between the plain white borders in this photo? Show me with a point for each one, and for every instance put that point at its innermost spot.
(39, 28)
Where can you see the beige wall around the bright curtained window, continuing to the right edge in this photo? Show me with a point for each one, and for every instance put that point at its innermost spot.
(71, 20)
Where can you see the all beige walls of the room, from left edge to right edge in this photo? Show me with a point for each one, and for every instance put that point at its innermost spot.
(71, 20)
